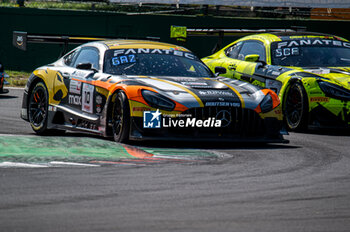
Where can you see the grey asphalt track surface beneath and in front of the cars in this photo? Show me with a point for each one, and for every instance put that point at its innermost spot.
(301, 186)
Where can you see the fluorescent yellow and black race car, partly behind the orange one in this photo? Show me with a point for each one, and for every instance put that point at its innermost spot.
(309, 71)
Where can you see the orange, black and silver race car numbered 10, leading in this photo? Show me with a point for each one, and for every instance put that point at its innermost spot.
(138, 90)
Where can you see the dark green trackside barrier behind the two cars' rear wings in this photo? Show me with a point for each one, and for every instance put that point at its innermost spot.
(89, 23)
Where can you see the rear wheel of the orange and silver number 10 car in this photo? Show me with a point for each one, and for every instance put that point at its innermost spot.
(38, 108)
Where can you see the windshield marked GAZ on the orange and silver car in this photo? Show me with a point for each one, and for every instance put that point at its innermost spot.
(155, 62)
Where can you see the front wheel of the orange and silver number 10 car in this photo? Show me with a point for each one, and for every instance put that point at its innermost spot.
(121, 118)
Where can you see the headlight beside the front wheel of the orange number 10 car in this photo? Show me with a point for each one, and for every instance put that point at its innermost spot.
(157, 101)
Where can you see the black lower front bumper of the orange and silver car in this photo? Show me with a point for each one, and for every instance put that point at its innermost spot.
(266, 130)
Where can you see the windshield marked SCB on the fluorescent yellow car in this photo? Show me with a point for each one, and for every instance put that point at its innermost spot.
(311, 53)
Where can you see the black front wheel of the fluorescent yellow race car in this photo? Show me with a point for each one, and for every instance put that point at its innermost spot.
(296, 107)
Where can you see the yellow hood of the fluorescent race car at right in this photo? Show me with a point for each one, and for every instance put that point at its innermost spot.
(338, 75)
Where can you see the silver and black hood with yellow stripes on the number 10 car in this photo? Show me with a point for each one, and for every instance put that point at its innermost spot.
(199, 92)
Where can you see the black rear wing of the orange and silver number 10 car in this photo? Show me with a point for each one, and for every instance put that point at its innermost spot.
(20, 39)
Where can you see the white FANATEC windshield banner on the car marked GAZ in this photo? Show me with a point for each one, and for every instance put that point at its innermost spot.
(131, 51)
